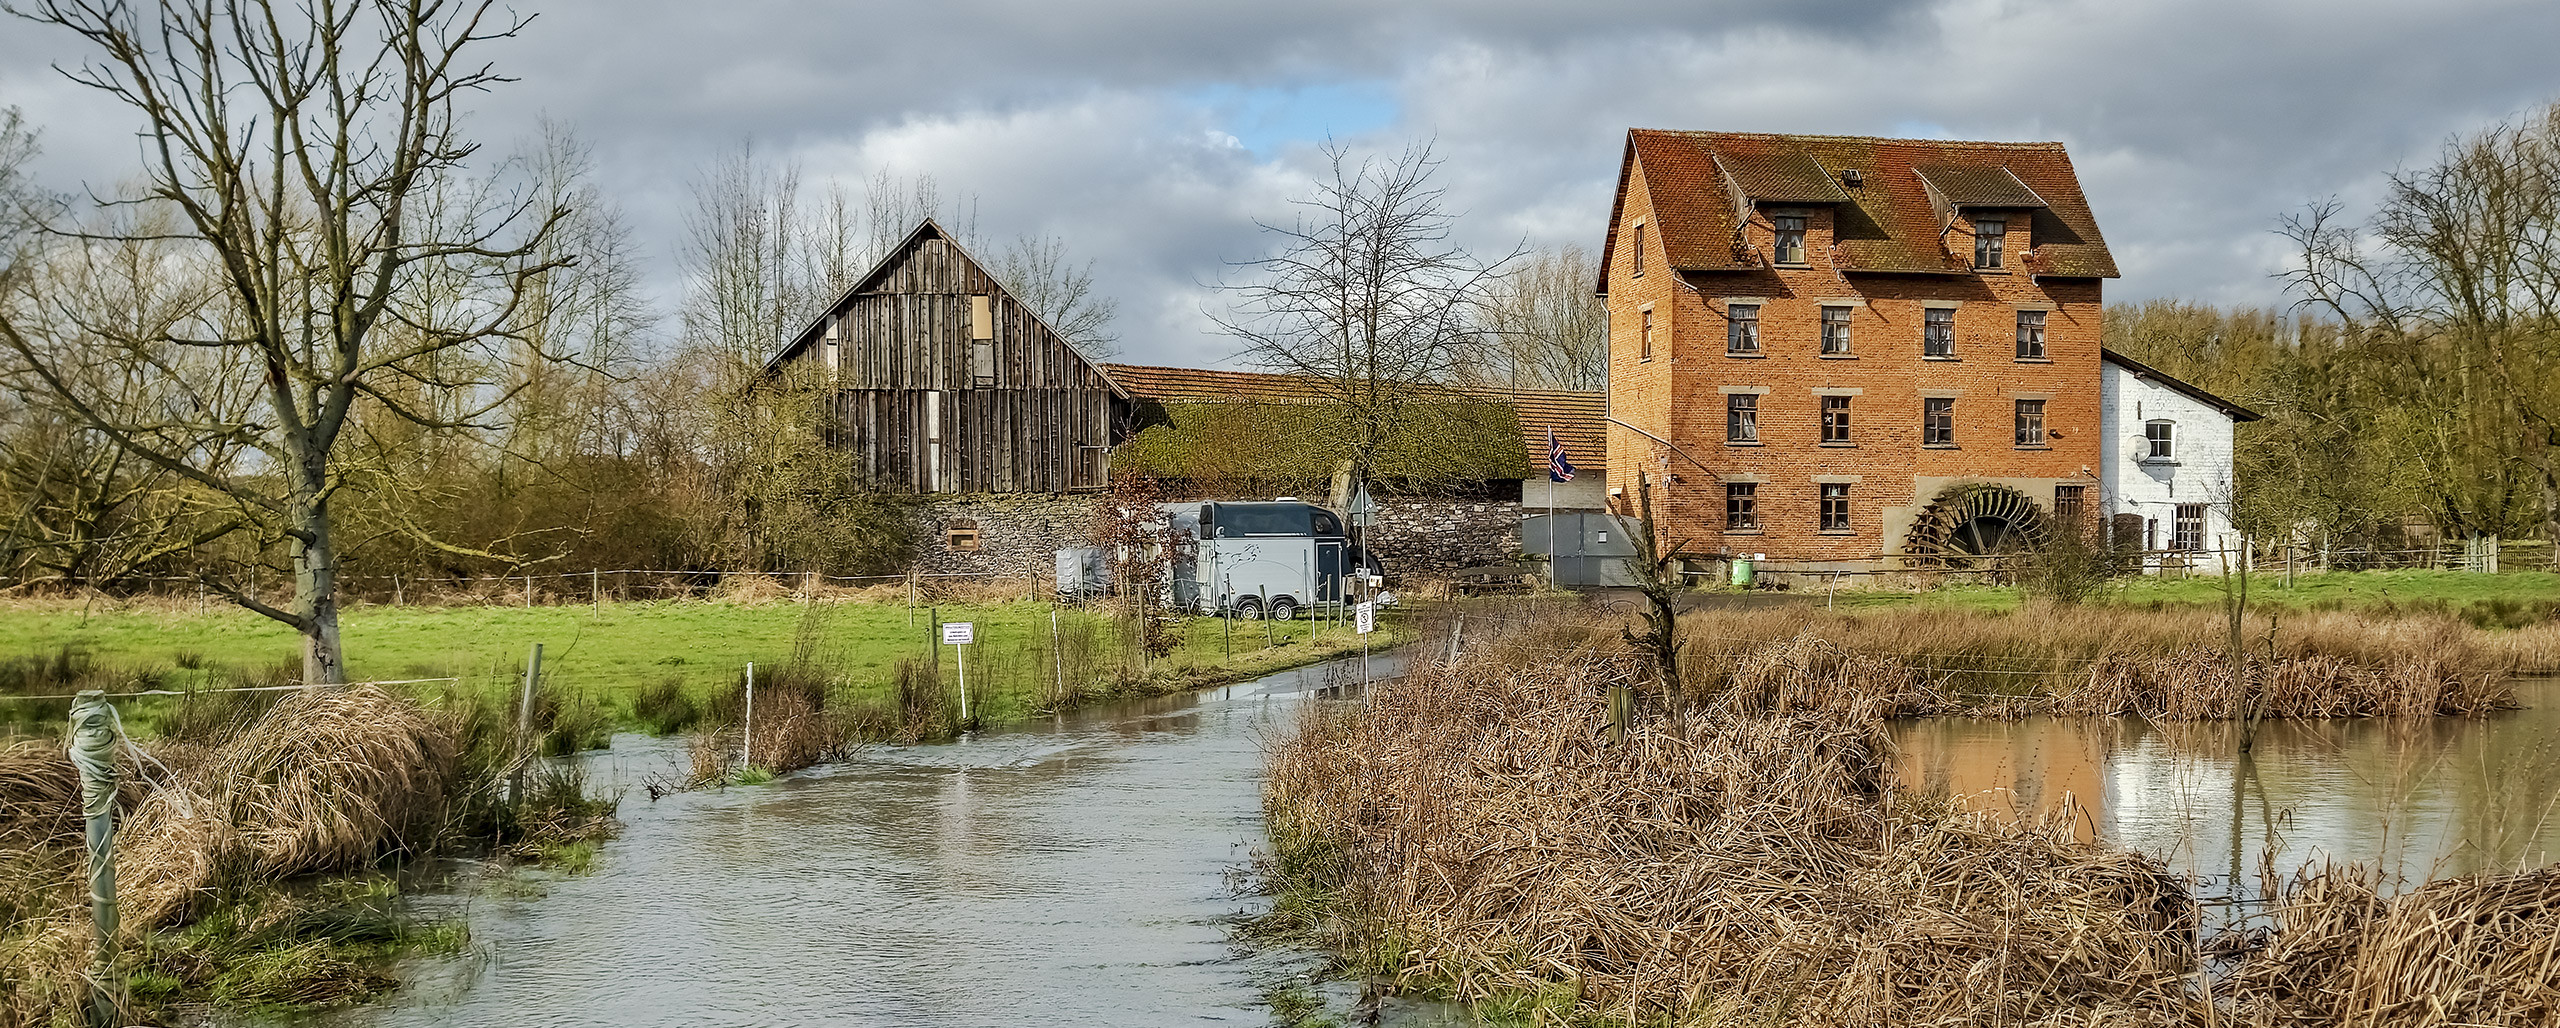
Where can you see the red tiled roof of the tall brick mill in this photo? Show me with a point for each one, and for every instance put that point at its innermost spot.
(1893, 221)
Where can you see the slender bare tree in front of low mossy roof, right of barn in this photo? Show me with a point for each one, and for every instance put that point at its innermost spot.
(1366, 298)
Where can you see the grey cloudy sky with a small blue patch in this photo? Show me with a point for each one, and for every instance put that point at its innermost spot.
(1153, 134)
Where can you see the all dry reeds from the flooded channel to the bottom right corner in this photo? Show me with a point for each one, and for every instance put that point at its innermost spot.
(1481, 832)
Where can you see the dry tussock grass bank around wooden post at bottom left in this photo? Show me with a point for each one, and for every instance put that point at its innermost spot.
(260, 853)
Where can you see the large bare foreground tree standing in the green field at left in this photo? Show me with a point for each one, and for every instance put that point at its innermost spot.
(298, 147)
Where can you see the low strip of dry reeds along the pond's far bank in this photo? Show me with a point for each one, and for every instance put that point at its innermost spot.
(2095, 661)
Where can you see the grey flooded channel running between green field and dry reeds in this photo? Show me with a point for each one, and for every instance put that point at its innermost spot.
(1074, 873)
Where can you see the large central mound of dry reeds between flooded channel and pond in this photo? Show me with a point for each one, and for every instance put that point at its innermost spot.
(1719, 866)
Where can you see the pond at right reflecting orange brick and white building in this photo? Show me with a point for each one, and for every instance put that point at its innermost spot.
(2423, 799)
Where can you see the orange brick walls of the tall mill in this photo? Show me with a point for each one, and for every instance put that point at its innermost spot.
(1891, 474)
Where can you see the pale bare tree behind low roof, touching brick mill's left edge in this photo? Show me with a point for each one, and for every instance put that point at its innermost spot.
(1542, 326)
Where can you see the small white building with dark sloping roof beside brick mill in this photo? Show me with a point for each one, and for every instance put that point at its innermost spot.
(2167, 464)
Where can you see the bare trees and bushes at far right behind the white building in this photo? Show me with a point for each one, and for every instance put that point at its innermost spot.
(2410, 387)
